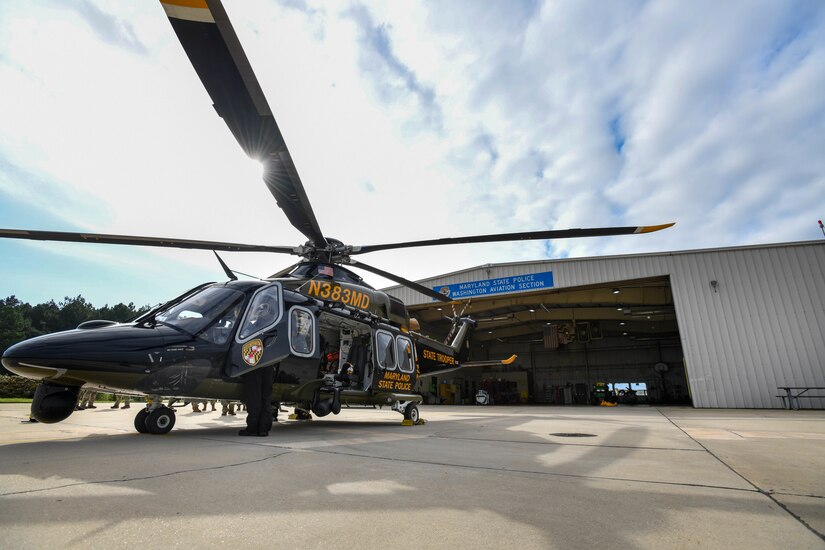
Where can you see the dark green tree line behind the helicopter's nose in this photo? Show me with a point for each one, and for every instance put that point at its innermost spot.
(20, 320)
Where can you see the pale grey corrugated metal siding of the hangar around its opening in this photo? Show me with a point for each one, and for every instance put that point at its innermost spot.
(763, 326)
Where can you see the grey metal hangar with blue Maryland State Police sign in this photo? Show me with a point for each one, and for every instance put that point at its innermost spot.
(721, 327)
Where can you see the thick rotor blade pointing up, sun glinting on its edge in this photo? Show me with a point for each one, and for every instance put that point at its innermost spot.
(209, 40)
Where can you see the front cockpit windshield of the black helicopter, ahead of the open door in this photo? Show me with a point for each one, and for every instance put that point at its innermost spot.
(210, 313)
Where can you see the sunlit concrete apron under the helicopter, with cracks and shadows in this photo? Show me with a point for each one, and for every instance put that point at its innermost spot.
(471, 477)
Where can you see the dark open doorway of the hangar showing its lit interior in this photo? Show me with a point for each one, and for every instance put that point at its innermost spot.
(623, 334)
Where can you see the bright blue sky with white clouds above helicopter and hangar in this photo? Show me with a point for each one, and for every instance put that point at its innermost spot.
(406, 121)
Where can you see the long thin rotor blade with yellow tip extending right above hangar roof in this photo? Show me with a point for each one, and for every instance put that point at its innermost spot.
(523, 236)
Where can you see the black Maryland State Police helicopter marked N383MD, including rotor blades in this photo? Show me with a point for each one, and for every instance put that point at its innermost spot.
(332, 339)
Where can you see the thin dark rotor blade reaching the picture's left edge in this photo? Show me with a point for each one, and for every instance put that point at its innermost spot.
(140, 241)
